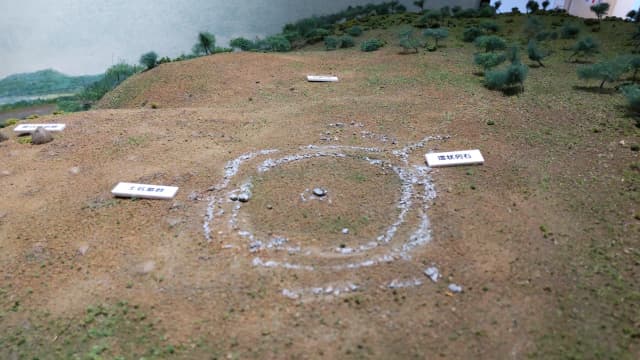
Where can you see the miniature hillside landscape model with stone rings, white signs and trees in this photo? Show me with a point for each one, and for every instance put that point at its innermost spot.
(379, 183)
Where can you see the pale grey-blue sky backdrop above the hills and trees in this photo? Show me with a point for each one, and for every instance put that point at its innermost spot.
(87, 36)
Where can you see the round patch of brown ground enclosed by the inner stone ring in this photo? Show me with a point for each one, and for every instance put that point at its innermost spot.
(362, 198)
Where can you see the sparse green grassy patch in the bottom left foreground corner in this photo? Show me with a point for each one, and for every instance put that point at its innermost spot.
(118, 331)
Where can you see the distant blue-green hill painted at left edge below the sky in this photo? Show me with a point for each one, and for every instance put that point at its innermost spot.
(44, 82)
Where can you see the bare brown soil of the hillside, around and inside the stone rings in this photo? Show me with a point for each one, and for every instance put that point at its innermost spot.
(501, 230)
